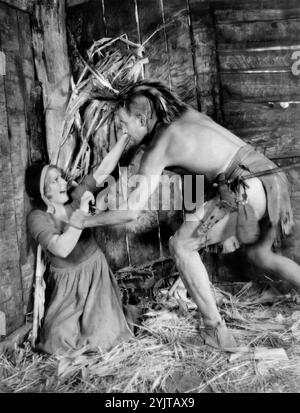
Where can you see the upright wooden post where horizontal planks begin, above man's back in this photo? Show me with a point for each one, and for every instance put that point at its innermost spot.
(205, 58)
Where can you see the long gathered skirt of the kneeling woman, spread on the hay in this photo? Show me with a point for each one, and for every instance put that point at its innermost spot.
(84, 310)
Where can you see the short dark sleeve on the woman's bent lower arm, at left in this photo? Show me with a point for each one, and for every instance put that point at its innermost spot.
(41, 227)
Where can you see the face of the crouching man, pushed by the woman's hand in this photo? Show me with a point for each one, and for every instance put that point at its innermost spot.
(132, 125)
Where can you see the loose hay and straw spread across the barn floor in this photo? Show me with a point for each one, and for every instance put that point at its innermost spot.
(168, 355)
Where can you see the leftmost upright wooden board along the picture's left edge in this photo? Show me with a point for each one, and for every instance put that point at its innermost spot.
(13, 158)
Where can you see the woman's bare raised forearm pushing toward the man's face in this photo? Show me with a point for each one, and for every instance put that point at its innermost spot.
(110, 160)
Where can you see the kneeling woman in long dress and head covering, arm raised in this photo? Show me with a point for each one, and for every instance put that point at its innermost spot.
(84, 309)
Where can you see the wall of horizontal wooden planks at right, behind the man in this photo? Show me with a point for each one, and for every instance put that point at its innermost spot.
(260, 95)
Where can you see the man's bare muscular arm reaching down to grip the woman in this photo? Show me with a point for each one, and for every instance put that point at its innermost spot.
(152, 166)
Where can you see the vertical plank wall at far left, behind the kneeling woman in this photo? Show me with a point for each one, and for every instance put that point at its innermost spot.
(21, 130)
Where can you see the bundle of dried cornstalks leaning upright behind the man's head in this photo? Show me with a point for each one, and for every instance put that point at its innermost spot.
(112, 65)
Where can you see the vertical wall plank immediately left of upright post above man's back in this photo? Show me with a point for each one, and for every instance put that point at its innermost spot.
(180, 51)
